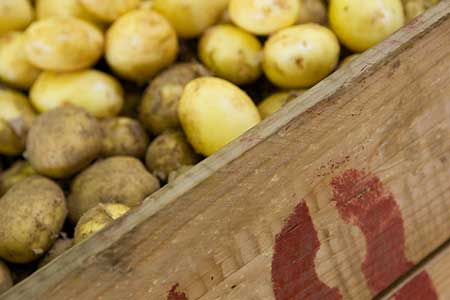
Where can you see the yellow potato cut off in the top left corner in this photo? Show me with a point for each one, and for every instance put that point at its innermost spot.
(15, 15)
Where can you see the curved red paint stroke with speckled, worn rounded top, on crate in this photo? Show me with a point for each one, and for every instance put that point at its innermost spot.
(362, 201)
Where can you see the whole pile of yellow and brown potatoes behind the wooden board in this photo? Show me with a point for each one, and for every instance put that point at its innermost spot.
(104, 101)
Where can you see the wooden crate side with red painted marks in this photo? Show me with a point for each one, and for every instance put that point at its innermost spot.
(343, 194)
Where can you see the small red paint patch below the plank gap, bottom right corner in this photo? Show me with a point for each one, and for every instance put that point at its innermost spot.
(419, 288)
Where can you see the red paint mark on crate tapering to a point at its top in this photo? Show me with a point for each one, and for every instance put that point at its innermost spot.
(293, 271)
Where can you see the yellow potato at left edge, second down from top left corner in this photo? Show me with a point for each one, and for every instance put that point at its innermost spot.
(14, 66)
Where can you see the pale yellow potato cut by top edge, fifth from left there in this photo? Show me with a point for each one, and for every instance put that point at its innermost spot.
(264, 17)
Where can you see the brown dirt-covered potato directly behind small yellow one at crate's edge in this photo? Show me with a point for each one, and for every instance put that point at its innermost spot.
(118, 179)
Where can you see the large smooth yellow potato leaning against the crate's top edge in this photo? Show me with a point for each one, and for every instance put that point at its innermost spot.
(213, 112)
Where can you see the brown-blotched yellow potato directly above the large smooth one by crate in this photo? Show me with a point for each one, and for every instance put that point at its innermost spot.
(231, 53)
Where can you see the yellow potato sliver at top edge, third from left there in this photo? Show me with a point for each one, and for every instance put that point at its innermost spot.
(109, 10)
